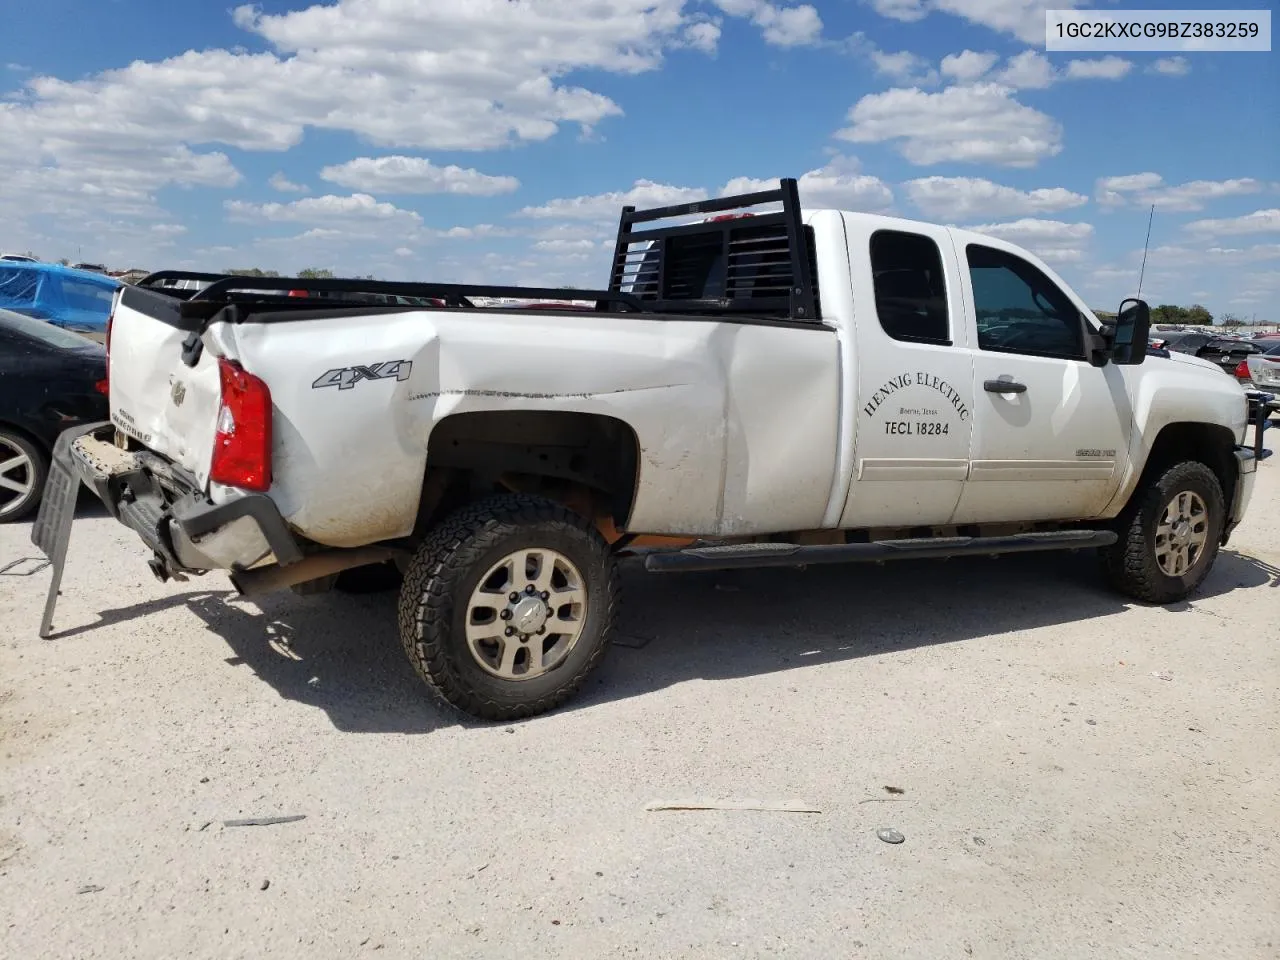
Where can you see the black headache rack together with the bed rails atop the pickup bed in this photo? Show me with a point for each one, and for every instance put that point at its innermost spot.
(743, 264)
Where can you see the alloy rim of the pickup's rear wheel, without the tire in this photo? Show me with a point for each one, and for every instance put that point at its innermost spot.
(527, 614)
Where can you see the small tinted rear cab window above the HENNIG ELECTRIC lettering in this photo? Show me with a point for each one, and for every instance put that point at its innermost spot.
(911, 287)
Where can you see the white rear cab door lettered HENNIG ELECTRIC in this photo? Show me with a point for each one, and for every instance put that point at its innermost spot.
(915, 376)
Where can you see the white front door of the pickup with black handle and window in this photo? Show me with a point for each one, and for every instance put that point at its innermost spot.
(1052, 432)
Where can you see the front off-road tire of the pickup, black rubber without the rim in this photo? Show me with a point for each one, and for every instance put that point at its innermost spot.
(1131, 566)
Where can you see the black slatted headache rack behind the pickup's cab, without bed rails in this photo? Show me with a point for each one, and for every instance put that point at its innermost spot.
(758, 264)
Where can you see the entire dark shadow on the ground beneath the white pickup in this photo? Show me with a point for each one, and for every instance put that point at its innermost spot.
(341, 652)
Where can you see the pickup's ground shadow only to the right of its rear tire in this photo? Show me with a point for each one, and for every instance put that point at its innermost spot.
(739, 624)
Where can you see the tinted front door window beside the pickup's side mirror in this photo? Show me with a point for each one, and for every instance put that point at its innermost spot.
(1020, 309)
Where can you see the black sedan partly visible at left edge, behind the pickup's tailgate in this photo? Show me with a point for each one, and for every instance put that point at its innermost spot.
(51, 380)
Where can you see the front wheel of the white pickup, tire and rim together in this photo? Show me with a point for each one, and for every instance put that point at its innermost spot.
(1169, 542)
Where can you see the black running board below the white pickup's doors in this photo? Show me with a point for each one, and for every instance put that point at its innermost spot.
(790, 555)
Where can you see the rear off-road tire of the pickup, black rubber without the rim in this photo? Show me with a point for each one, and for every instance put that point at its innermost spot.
(447, 568)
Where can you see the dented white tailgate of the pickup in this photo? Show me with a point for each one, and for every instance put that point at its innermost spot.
(157, 399)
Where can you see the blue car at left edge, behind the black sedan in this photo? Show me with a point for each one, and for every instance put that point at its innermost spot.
(75, 300)
